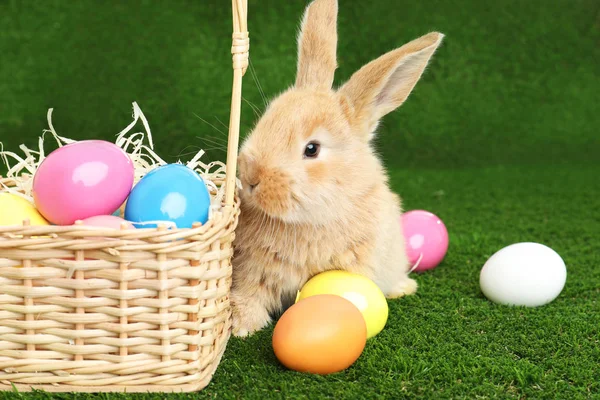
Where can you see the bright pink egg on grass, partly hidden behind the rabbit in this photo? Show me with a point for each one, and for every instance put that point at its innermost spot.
(426, 239)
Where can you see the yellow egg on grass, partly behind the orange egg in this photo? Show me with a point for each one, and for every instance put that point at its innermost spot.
(360, 290)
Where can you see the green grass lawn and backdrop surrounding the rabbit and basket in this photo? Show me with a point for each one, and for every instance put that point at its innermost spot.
(500, 139)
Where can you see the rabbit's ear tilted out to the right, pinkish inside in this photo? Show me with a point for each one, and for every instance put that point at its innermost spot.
(385, 83)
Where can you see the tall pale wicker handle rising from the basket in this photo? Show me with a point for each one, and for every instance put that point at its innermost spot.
(240, 51)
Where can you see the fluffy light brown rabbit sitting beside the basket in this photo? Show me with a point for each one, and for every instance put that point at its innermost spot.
(315, 196)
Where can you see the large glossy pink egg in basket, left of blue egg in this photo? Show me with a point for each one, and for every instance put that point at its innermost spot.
(81, 180)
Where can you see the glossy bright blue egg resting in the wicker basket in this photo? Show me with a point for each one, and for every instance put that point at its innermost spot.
(173, 193)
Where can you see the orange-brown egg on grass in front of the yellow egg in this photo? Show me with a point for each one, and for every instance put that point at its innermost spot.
(321, 334)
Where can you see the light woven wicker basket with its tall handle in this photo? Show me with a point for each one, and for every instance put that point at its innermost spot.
(135, 310)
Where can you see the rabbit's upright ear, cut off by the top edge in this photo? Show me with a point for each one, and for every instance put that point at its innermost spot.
(317, 45)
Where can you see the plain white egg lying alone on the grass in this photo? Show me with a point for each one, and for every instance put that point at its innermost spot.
(523, 274)
